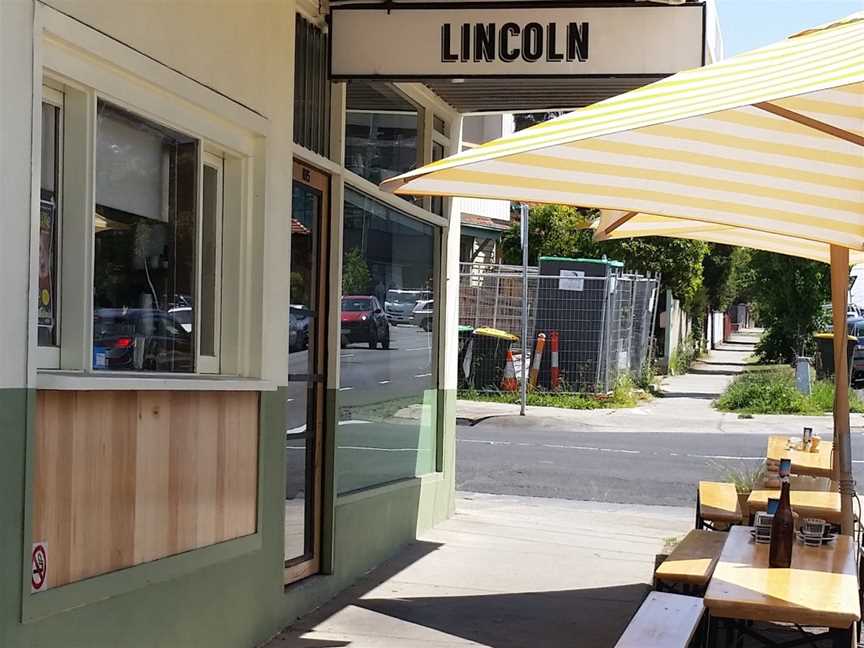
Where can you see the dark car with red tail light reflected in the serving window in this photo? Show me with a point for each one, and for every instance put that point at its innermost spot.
(140, 339)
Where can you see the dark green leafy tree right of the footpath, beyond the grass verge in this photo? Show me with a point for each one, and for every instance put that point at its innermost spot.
(788, 294)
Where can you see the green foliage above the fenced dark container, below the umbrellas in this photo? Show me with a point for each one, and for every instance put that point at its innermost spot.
(556, 230)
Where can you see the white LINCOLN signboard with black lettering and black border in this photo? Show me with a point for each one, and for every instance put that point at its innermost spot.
(477, 40)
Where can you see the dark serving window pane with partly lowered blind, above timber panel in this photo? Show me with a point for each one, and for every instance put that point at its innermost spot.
(144, 245)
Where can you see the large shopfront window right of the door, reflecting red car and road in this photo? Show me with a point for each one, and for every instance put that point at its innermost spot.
(388, 386)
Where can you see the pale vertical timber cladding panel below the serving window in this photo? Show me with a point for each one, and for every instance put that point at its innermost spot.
(125, 477)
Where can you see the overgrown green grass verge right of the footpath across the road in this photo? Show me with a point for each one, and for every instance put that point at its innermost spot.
(774, 392)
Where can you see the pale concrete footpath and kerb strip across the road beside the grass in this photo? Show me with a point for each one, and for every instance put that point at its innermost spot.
(685, 405)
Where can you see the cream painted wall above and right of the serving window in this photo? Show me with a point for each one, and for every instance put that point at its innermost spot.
(242, 49)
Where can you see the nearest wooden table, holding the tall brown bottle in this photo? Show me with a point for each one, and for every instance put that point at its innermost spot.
(820, 589)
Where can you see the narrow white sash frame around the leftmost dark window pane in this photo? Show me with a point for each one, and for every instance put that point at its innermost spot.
(48, 356)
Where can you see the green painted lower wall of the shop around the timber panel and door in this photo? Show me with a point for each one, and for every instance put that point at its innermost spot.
(238, 602)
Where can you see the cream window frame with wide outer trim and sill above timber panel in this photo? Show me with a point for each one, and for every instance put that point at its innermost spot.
(90, 67)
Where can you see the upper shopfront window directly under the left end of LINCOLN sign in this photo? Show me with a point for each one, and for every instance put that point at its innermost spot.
(381, 131)
